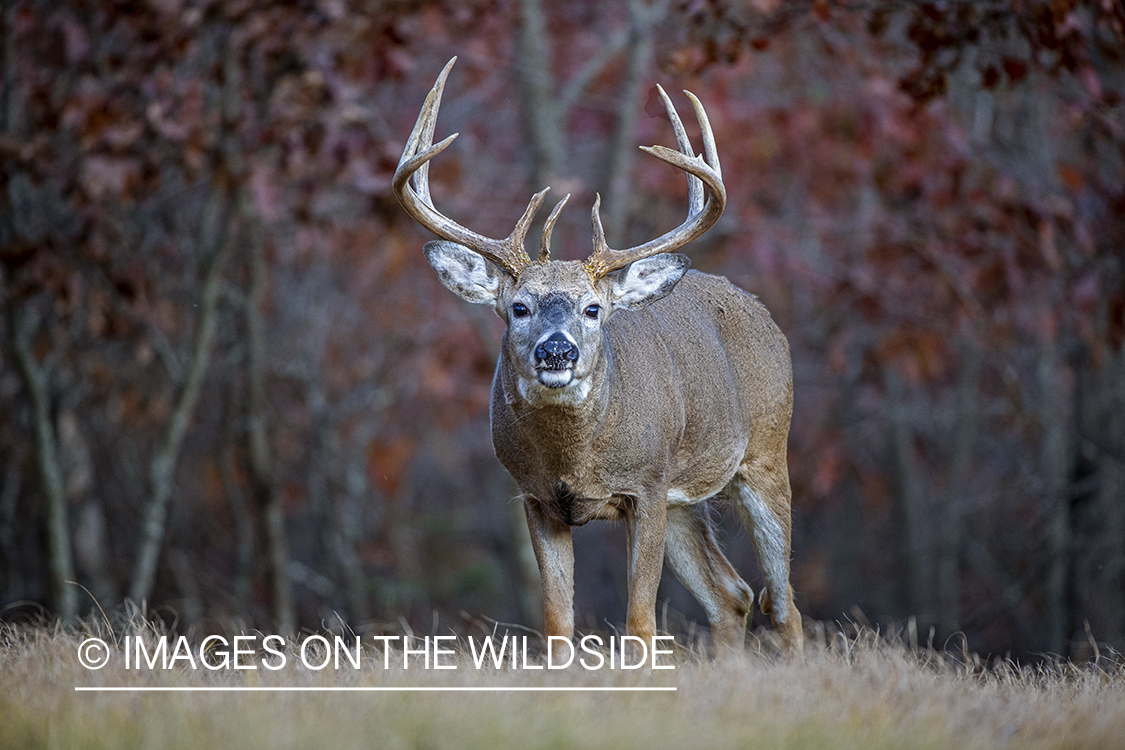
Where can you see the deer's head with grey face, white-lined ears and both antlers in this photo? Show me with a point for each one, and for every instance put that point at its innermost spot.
(556, 310)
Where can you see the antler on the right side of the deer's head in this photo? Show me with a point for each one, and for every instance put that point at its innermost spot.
(701, 216)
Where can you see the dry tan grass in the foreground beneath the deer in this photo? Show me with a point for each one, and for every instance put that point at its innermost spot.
(863, 691)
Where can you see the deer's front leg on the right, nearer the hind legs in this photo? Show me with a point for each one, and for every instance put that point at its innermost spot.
(645, 523)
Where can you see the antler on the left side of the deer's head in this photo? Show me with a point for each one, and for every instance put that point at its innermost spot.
(412, 187)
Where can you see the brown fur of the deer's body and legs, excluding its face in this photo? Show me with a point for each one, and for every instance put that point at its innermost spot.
(692, 393)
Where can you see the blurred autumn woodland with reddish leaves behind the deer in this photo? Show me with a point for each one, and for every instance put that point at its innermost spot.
(231, 387)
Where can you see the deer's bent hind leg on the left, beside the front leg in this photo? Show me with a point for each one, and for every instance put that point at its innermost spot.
(695, 557)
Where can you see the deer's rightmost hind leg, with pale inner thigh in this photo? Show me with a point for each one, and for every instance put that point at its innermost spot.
(762, 493)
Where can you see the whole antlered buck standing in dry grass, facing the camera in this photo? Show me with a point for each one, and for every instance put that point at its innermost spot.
(629, 387)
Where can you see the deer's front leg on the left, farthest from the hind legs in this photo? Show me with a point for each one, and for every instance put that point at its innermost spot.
(551, 539)
